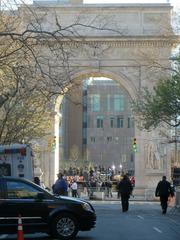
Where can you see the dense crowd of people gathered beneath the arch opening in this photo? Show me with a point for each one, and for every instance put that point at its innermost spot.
(91, 180)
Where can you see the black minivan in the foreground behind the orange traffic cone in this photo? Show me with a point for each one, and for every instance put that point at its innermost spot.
(61, 217)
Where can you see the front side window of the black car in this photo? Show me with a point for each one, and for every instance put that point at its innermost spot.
(20, 190)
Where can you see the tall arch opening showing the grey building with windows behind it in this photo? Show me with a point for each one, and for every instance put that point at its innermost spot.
(94, 124)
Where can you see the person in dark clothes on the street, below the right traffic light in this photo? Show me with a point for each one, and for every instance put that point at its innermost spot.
(125, 189)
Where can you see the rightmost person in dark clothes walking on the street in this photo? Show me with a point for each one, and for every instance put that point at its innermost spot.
(164, 190)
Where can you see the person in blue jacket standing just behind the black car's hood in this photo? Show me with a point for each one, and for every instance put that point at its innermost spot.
(60, 187)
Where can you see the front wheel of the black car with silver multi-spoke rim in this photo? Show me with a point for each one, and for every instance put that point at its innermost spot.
(64, 227)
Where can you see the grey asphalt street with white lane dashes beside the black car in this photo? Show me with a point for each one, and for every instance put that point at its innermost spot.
(144, 221)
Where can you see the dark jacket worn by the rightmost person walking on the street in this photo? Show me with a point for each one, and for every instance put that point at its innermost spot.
(164, 189)
